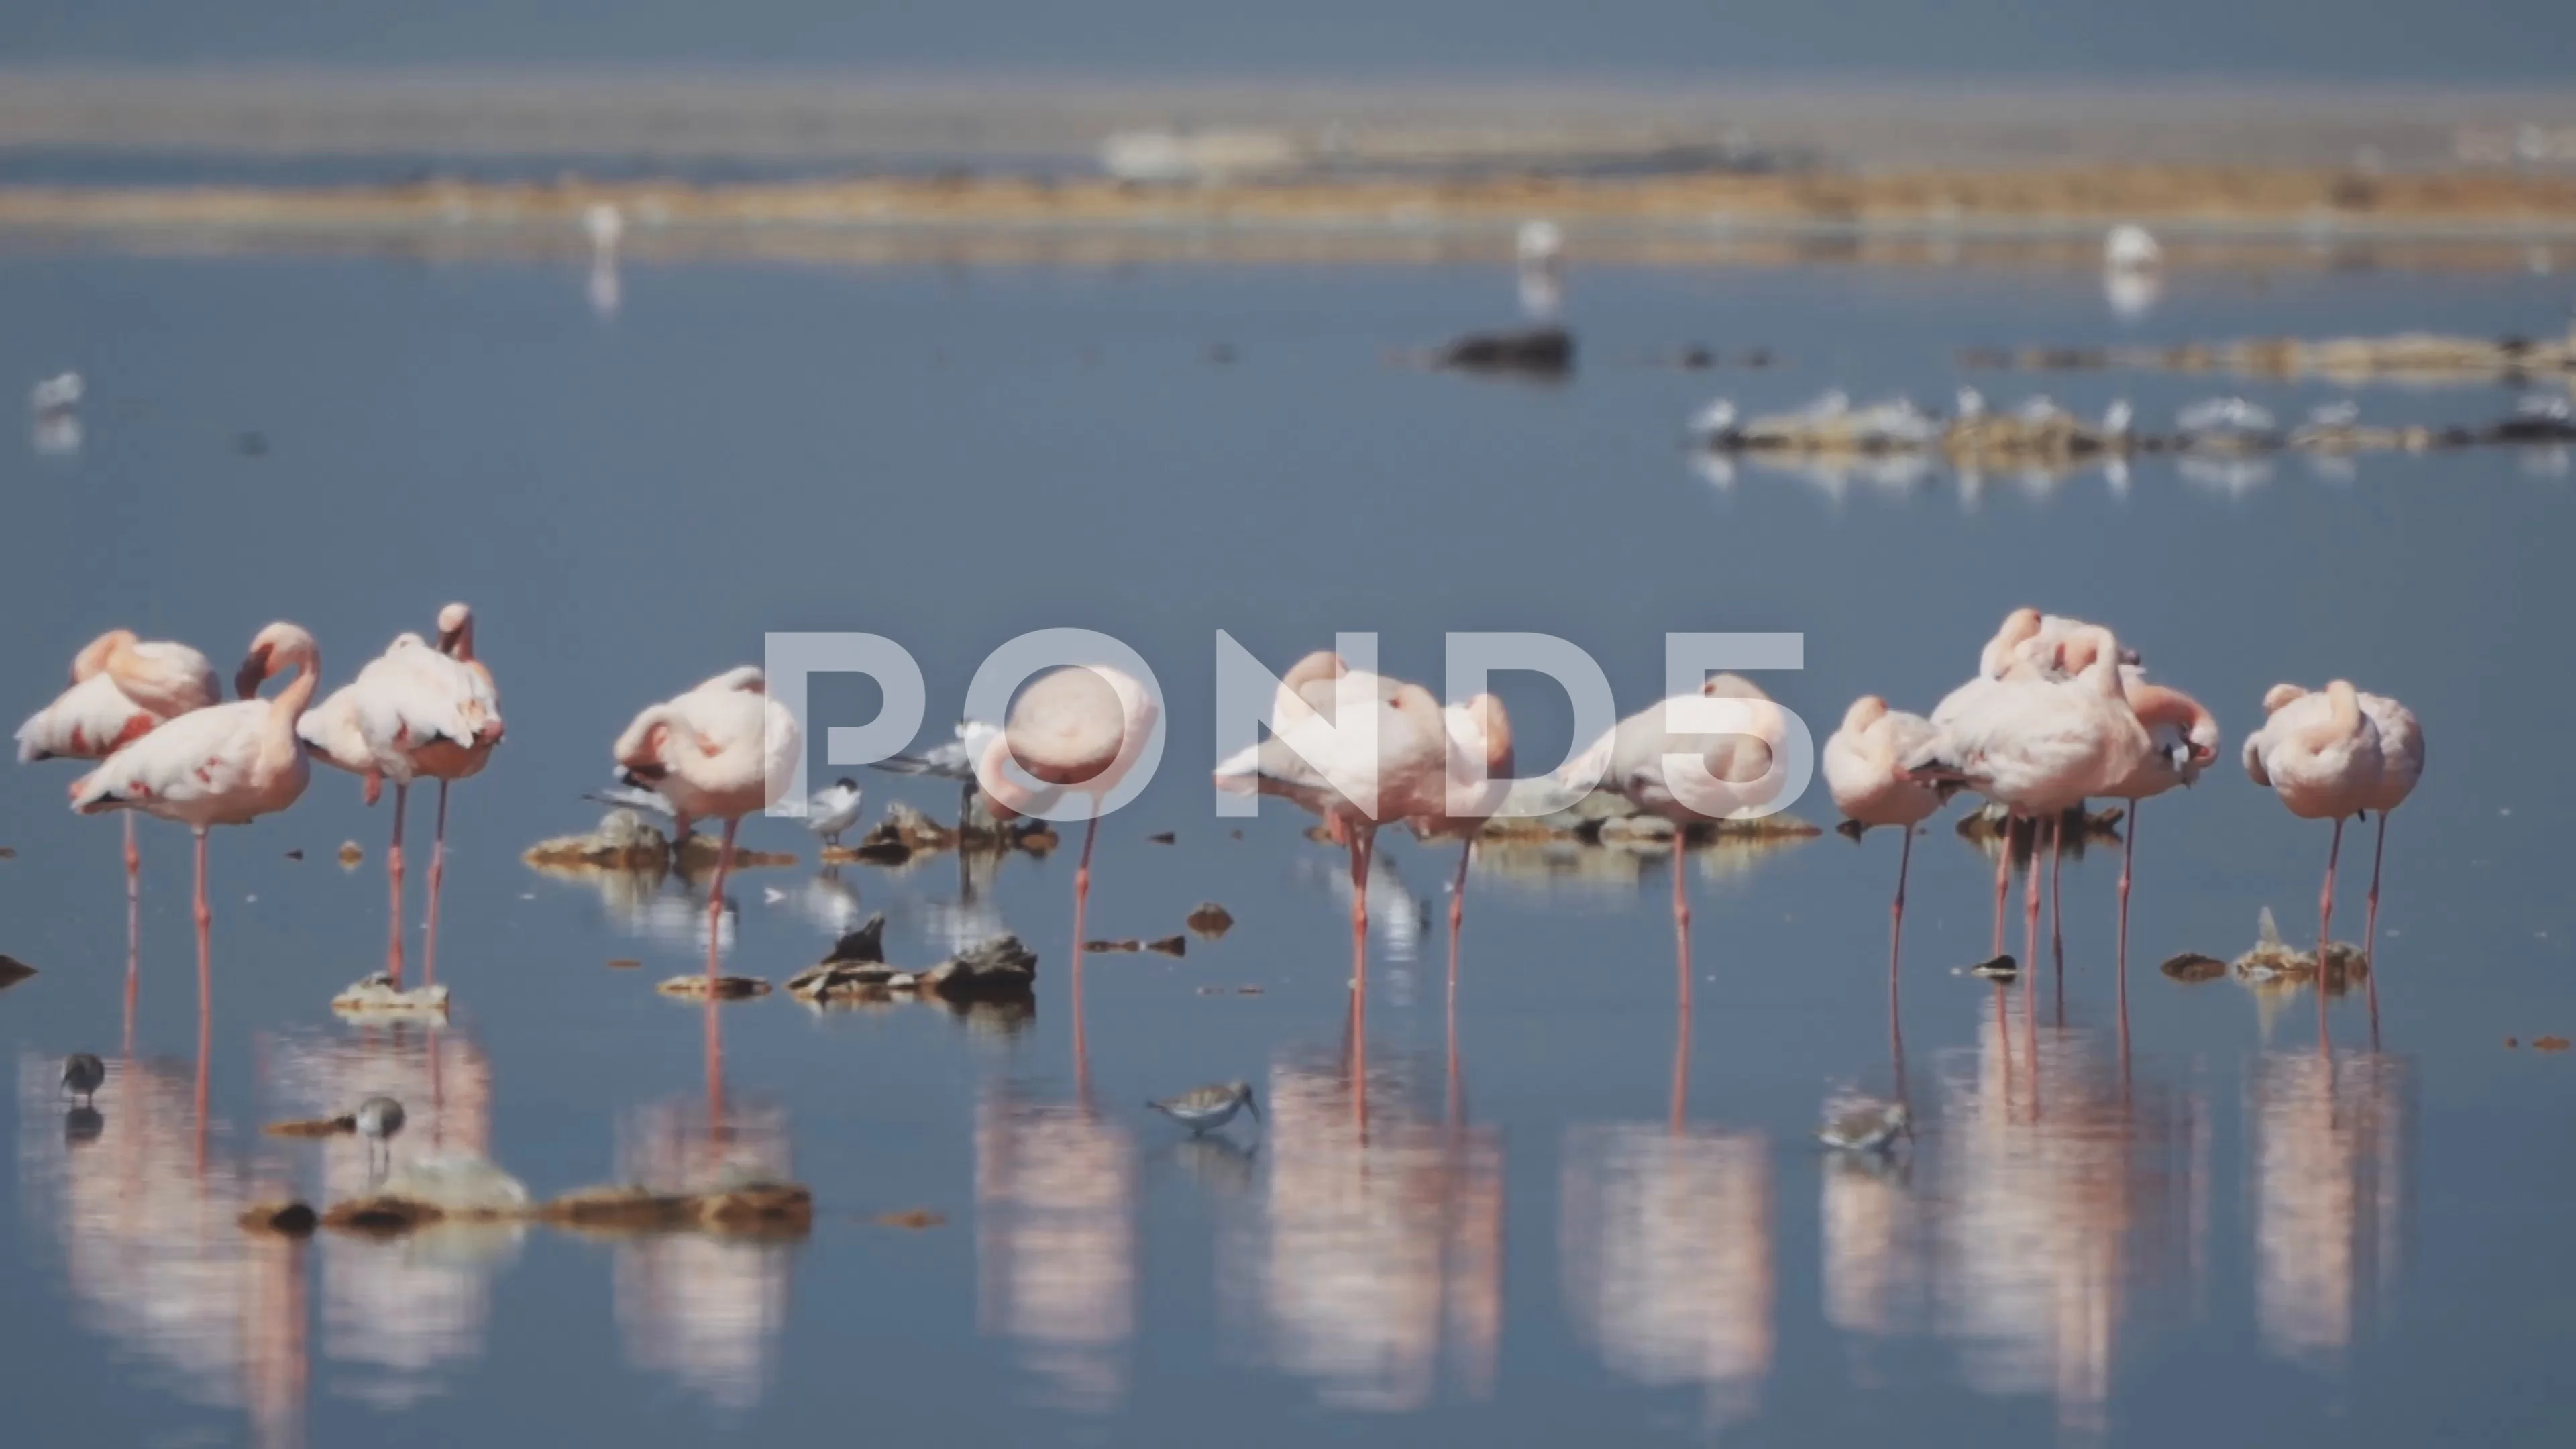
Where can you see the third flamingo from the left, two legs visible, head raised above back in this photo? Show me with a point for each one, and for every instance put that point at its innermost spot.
(411, 713)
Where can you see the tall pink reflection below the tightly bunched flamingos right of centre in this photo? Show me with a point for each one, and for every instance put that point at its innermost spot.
(2049, 1218)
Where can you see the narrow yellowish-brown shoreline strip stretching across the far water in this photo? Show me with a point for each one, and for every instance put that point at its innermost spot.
(2201, 213)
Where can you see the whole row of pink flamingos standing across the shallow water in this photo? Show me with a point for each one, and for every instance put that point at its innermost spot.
(2057, 715)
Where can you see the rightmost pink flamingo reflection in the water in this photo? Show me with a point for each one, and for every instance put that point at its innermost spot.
(2330, 1159)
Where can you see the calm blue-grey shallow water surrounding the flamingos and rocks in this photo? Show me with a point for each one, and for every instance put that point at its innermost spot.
(1557, 1208)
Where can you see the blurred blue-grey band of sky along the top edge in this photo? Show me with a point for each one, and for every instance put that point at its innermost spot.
(2526, 43)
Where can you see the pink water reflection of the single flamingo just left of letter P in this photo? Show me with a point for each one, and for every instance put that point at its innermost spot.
(705, 1308)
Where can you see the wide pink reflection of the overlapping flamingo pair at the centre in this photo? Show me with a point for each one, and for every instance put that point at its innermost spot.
(1377, 1252)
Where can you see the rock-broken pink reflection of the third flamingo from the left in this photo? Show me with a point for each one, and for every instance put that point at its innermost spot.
(398, 1314)
